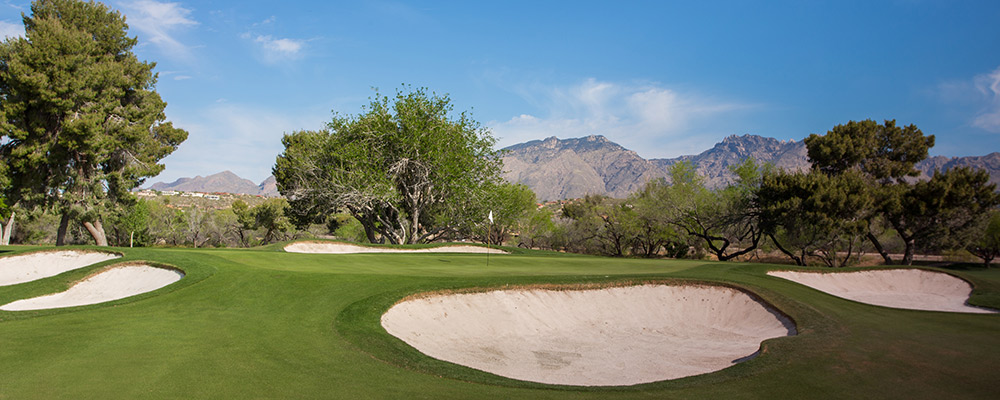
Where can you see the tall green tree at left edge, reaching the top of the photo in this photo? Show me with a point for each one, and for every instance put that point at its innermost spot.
(81, 122)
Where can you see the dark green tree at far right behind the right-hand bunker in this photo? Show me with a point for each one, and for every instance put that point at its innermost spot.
(925, 214)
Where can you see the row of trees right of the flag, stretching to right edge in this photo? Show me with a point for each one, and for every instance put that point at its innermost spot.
(861, 195)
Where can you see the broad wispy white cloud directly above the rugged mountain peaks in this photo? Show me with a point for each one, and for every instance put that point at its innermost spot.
(653, 120)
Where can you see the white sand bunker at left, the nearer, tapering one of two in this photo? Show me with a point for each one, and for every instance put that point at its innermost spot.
(112, 284)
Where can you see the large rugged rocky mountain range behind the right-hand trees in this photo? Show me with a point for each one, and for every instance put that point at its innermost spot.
(570, 168)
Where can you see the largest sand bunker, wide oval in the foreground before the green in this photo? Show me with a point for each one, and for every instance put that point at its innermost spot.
(600, 337)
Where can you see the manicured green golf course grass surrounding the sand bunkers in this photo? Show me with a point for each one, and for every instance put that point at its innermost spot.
(261, 323)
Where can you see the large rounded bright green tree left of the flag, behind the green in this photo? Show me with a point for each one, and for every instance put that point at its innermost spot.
(405, 168)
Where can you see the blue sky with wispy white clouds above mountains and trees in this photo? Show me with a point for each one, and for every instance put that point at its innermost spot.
(663, 78)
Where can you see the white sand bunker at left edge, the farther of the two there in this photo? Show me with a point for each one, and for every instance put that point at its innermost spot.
(34, 266)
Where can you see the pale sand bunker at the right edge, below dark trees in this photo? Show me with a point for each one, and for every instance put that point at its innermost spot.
(912, 289)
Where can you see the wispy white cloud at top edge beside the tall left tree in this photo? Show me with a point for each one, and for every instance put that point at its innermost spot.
(160, 21)
